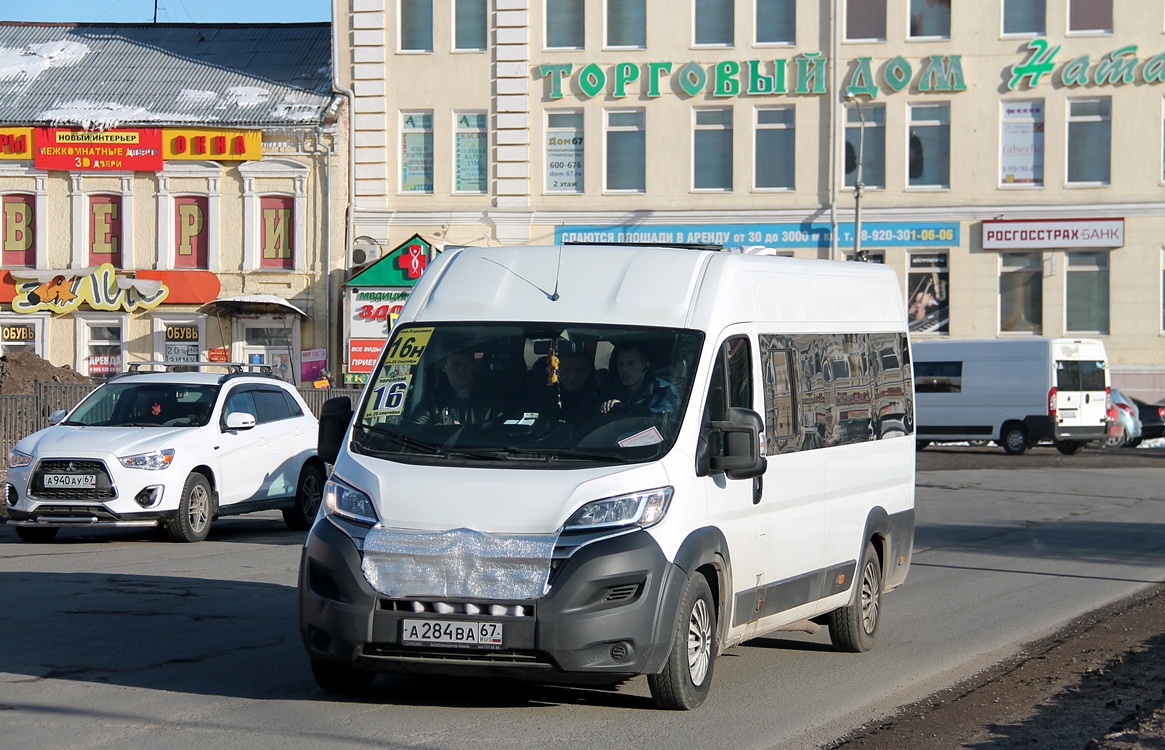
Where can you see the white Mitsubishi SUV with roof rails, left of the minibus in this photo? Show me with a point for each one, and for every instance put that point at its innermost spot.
(173, 449)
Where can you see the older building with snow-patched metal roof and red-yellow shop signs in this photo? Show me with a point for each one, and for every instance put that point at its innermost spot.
(170, 193)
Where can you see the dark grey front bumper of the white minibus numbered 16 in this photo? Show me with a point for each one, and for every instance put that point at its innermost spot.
(610, 614)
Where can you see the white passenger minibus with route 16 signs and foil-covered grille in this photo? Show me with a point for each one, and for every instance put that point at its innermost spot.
(590, 463)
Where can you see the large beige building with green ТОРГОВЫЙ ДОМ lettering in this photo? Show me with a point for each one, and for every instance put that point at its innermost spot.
(1009, 152)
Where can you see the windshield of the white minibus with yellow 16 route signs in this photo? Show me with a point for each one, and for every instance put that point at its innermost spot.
(533, 393)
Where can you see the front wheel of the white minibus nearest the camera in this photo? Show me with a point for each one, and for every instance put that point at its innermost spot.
(688, 675)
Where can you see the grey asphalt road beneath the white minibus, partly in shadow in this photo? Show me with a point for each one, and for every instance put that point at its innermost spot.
(126, 641)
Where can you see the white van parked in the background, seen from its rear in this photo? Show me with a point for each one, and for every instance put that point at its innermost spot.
(1016, 392)
